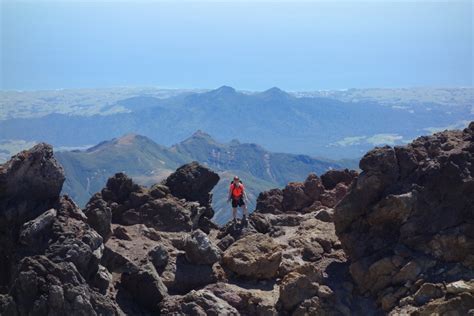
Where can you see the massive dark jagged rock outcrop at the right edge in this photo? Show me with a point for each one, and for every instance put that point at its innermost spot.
(407, 224)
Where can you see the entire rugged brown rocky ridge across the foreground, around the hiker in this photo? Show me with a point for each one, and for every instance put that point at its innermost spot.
(395, 239)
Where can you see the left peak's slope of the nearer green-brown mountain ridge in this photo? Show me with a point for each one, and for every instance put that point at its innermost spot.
(87, 171)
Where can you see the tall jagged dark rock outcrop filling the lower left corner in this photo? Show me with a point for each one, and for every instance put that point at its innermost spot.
(49, 254)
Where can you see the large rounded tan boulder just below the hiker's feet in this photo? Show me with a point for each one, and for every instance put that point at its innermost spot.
(256, 256)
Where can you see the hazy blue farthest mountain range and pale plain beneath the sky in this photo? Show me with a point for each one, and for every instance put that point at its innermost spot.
(336, 125)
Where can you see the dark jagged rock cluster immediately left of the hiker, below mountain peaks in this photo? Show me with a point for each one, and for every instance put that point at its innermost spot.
(124, 202)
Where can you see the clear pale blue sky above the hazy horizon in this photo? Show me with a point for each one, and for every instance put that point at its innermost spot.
(297, 46)
